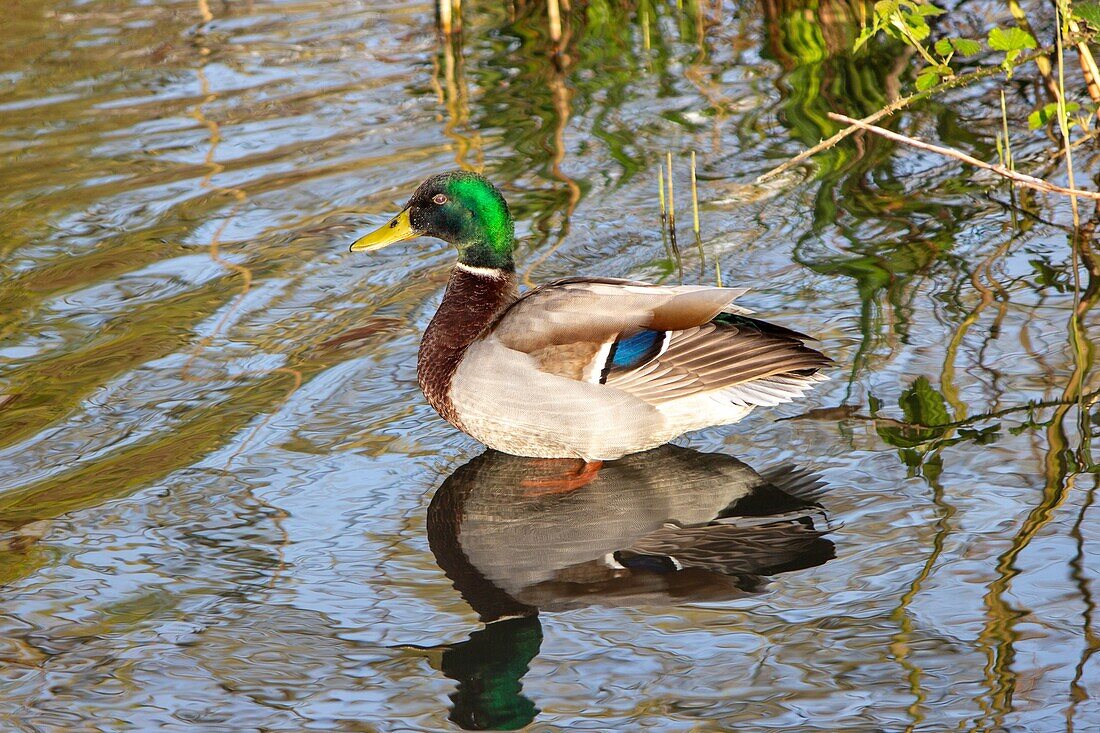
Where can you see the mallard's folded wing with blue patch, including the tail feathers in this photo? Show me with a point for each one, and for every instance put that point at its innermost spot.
(661, 344)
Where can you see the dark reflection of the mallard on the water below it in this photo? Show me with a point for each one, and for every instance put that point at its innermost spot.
(665, 528)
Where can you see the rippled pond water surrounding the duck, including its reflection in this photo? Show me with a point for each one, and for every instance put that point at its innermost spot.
(225, 505)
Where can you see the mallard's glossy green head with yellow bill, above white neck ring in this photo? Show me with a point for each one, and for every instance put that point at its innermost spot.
(459, 207)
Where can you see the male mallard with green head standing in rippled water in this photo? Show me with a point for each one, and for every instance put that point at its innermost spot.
(590, 368)
